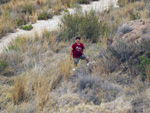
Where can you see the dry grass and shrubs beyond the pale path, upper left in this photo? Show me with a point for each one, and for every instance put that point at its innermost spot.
(29, 11)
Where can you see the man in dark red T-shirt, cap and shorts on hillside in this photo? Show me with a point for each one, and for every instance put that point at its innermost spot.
(77, 52)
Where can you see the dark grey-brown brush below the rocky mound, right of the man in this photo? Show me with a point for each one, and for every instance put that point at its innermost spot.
(124, 56)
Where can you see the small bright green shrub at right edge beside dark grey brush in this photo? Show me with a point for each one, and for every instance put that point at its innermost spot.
(144, 61)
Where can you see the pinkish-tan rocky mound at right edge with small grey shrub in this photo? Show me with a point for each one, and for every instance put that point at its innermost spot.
(134, 31)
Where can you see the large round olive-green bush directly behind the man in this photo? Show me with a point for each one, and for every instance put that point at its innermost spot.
(86, 25)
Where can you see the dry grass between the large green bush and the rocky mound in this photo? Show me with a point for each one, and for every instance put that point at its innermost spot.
(114, 18)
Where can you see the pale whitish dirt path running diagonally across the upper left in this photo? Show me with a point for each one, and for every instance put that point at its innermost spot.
(52, 24)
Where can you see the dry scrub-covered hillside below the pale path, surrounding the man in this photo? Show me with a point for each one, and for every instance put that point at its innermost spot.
(36, 74)
